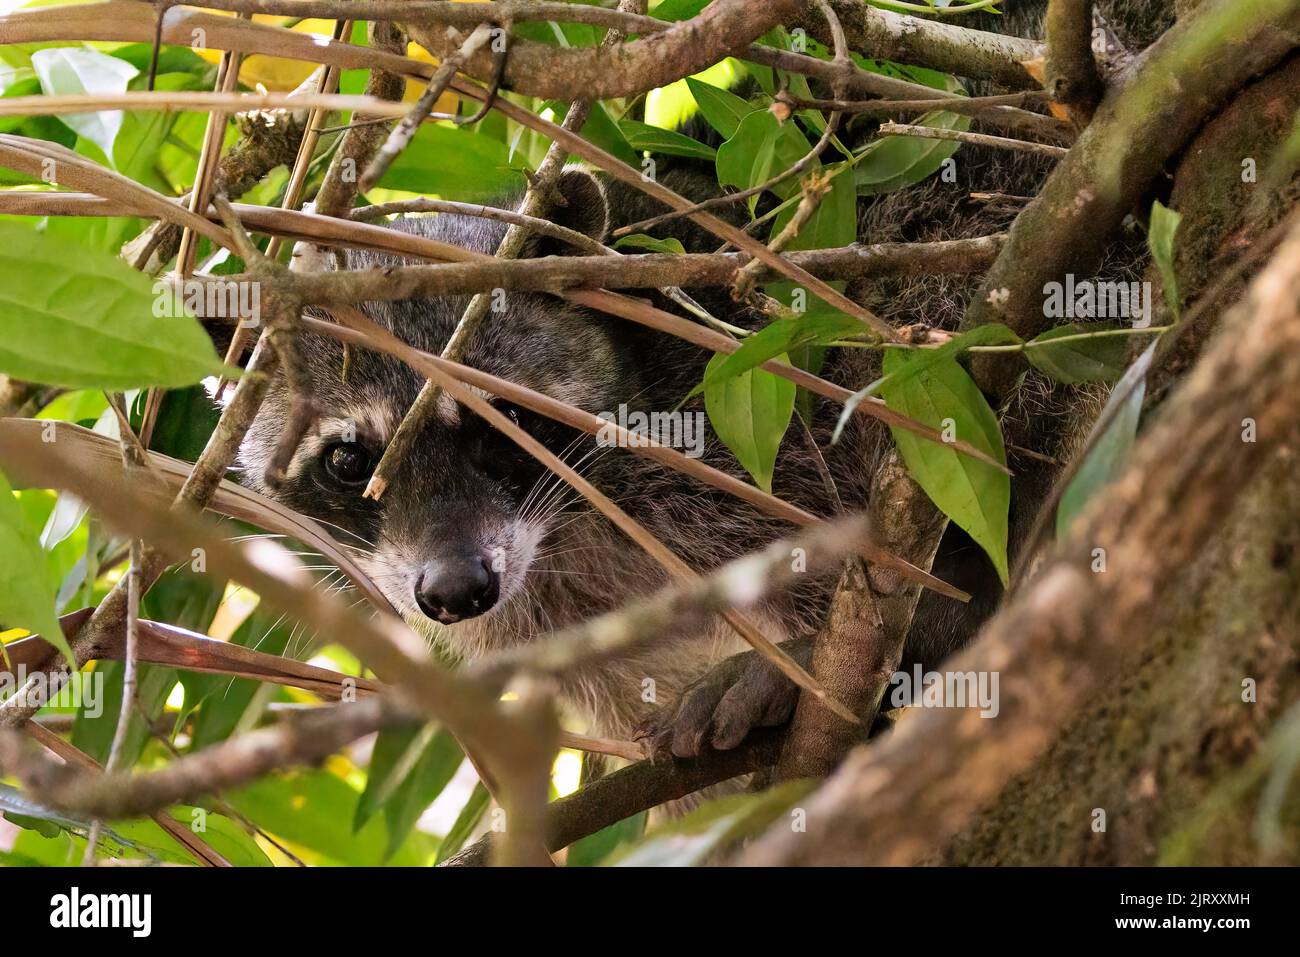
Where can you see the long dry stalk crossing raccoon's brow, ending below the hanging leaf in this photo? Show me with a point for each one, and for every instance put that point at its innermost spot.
(362, 332)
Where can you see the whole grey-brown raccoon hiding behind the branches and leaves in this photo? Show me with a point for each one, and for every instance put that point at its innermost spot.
(480, 548)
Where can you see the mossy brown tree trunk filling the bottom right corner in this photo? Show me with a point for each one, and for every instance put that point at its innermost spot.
(1158, 747)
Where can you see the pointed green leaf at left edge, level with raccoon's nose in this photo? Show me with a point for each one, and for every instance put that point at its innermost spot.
(27, 592)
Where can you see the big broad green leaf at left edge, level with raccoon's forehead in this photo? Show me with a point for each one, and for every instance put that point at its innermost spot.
(97, 330)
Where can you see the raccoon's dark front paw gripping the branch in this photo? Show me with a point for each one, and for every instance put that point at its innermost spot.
(720, 709)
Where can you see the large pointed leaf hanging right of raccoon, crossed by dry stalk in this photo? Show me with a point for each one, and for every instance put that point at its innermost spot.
(972, 493)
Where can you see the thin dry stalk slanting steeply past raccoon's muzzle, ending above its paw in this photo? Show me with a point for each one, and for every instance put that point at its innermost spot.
(655, 548)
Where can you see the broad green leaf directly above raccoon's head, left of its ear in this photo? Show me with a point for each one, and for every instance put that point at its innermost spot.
(454, 164)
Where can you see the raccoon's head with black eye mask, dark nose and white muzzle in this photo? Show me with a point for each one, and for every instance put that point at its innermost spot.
(463, 519)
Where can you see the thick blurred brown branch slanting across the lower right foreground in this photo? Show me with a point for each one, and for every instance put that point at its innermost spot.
(1063, 638)
